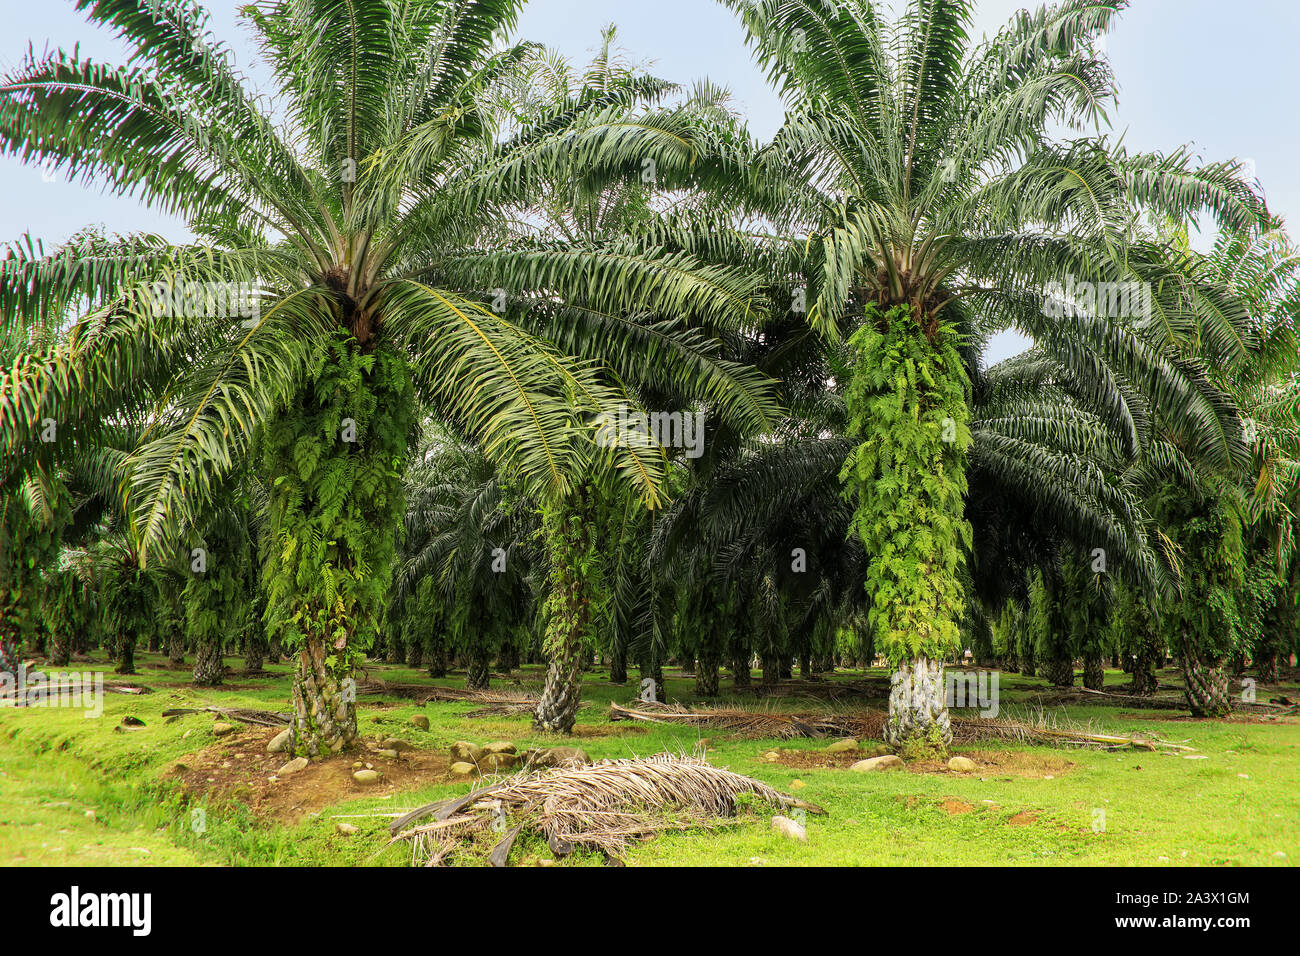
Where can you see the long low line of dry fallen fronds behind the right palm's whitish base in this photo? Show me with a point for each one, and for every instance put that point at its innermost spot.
(869, 725)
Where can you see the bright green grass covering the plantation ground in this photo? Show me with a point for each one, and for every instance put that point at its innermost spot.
(57, 765)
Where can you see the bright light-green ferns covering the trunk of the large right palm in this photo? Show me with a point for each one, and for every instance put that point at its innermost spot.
(908, 478)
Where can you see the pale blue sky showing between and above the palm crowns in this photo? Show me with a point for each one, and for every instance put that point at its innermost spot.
(1220, 75)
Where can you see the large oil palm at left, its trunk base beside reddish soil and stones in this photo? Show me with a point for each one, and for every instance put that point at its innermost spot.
(362, 236)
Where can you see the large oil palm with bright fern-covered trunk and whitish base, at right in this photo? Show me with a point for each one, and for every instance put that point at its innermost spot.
(937, 209)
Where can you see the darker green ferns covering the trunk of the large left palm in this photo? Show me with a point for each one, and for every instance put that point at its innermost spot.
(335, 465)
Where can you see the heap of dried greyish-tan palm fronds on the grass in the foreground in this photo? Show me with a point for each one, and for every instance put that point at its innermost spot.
(605, 807)
